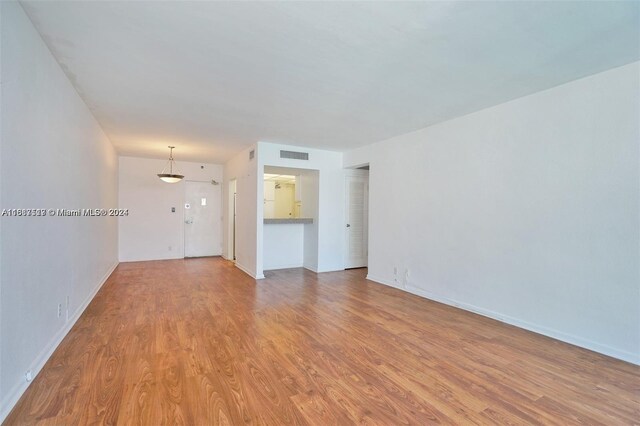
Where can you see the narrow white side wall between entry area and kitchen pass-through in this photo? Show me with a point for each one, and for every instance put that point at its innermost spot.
(248, 181)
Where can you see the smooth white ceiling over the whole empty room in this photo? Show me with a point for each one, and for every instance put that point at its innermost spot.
(213, 77)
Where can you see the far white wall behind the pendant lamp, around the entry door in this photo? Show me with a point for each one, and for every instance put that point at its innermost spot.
(152, 231)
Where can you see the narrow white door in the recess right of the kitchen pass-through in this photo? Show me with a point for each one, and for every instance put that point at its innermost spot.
(357, 220)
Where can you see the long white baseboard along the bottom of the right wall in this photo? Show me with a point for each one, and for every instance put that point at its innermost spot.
(536, 328)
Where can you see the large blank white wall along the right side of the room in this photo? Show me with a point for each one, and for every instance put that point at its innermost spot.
(527, 212)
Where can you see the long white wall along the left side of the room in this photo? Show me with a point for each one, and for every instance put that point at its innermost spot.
(54, 155)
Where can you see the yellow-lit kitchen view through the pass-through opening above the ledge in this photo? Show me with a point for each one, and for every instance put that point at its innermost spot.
(281, 196)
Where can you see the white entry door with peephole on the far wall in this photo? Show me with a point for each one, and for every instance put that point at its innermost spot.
(202, 220)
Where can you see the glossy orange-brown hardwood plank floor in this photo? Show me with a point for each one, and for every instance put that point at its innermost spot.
(198, 342)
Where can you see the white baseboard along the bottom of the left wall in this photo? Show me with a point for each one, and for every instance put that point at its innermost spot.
(13, 395)
